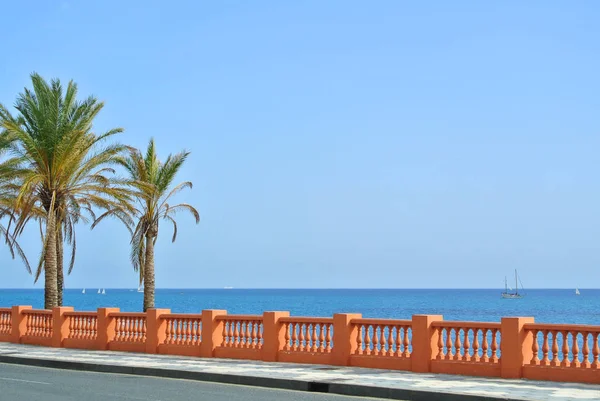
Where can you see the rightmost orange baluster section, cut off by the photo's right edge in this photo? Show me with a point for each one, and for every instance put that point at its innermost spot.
(563, 352)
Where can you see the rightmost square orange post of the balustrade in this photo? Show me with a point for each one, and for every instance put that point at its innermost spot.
(515, 346)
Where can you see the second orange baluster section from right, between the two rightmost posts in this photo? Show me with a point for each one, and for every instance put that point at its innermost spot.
(471, 348)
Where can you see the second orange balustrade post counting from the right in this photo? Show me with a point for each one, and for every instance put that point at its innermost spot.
(424, 342)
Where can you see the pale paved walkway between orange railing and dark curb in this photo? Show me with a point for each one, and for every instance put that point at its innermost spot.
(340, 380)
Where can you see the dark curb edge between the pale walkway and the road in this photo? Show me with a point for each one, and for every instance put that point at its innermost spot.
(267, 382)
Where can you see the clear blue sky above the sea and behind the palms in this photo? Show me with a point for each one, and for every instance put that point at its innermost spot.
(340, 143)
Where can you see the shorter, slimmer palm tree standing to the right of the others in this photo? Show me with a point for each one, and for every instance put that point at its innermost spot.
(152, 181)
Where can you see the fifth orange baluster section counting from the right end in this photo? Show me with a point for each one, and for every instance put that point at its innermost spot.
(242, 336)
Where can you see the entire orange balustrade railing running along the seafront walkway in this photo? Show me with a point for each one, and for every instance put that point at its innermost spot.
(514, 348)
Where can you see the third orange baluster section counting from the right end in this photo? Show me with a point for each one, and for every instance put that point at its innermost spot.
(382, 343)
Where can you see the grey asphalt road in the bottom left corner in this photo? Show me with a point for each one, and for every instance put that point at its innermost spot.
(20, 383)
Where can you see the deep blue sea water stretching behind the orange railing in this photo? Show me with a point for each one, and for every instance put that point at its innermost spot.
(546, 306)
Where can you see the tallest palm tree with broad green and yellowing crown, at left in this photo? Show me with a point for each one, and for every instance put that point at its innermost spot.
(65, 168)
